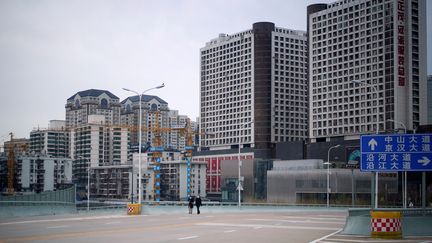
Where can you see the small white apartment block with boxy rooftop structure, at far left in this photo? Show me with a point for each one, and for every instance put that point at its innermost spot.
(53, 141)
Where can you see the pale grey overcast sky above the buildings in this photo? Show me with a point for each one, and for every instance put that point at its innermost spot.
(50, 50)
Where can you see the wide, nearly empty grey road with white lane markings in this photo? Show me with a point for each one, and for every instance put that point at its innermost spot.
(267, 227)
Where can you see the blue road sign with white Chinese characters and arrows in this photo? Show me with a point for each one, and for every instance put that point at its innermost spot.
(396, 152)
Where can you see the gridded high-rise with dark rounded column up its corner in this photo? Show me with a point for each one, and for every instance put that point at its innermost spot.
(254, 88)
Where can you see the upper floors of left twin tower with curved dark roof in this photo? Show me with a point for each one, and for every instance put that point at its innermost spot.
(92, 102)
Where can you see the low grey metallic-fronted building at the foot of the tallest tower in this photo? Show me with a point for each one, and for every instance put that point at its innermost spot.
(309, 186)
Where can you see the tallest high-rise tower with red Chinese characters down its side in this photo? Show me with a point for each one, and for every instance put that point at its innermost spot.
(366, 57)
